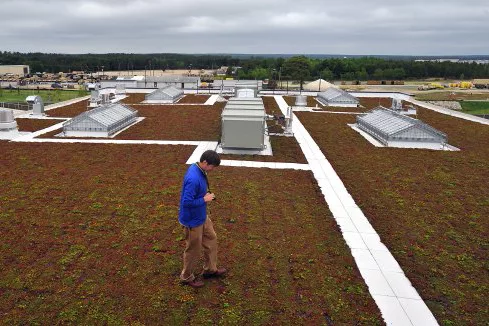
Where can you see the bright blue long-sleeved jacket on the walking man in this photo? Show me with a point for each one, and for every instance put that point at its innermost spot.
(193, 208)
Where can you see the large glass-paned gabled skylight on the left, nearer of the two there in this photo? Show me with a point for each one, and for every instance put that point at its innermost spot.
(103, 121)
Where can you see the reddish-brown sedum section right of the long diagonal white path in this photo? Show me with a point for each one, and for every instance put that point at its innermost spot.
(429, 207)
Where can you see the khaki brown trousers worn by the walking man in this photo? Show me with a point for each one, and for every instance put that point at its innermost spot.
(196, 239)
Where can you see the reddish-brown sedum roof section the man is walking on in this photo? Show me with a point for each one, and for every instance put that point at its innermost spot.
(105, 245)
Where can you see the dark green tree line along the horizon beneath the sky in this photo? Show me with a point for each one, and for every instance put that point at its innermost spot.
(254, 67)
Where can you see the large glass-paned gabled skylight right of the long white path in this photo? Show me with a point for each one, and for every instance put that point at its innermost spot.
(395, 130)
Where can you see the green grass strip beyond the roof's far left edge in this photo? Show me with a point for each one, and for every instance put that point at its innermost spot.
(48, 96)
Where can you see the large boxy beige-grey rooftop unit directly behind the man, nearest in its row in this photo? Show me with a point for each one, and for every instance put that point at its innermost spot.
(243, 129)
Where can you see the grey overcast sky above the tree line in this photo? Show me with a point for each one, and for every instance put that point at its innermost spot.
(407, 27)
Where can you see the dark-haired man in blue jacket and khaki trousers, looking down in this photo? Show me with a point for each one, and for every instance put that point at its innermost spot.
(198, 228)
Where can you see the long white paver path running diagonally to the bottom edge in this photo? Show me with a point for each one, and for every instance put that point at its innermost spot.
(397, 299)
